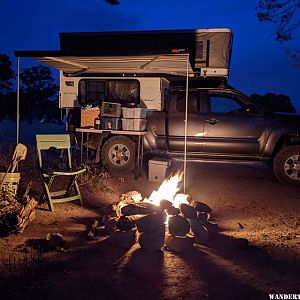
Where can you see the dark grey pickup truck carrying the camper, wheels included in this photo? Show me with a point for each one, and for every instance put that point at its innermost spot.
(223, 125)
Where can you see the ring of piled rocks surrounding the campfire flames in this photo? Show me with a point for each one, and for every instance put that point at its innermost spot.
(156, 227)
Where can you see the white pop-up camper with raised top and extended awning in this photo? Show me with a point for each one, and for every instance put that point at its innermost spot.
(150, 58)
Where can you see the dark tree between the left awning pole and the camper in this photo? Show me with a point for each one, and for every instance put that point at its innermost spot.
(38, 87)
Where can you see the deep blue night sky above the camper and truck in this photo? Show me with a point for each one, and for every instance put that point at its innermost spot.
(259, 63)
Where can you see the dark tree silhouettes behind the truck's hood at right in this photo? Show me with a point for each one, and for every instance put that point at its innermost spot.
(274, 103)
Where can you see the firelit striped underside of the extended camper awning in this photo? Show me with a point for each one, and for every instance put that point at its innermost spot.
(174, 64)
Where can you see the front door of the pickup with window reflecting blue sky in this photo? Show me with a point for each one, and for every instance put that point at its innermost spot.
(230, 128)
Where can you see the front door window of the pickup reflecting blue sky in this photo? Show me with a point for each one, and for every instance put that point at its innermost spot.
(225, 105)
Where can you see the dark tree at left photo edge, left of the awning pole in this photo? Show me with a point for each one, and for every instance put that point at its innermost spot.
(6, 74)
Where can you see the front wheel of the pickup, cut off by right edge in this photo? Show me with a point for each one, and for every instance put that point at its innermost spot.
(286, 165)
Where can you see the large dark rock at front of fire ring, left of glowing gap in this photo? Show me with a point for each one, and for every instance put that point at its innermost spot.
(152, 240)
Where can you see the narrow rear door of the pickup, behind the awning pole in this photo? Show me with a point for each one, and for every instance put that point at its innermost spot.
(175, 122)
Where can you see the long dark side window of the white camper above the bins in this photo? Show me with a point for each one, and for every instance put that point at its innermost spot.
(93, 92)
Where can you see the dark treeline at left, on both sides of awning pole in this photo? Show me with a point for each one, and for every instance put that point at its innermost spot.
(38, 93)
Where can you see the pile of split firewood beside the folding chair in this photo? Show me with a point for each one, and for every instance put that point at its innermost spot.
(15, 214)
